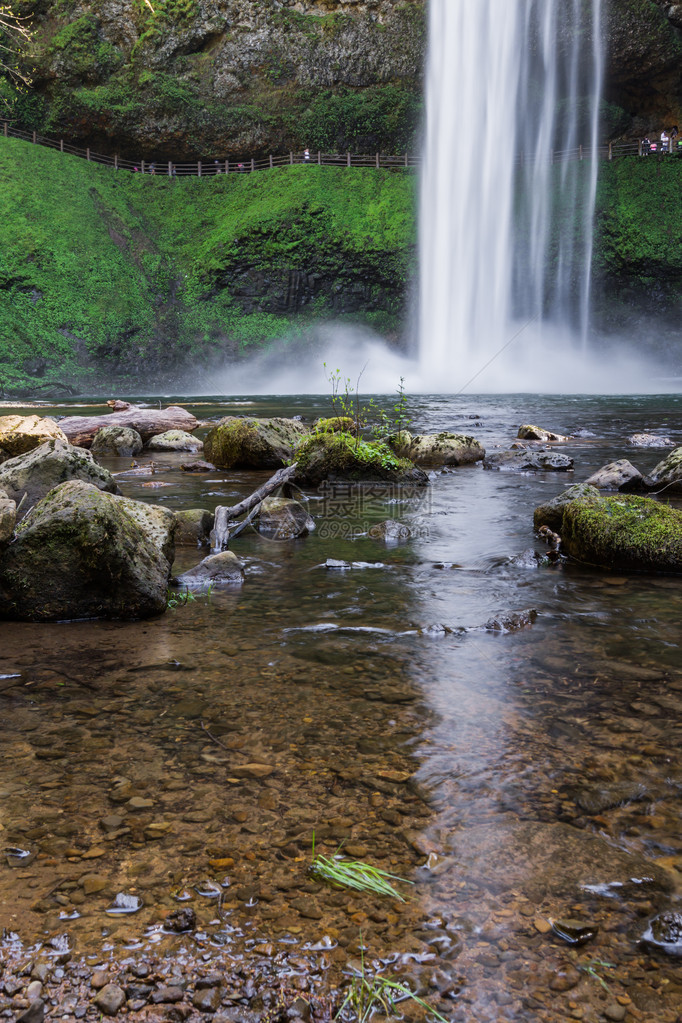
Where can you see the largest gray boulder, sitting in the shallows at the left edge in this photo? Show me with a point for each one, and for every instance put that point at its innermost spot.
(81, 553)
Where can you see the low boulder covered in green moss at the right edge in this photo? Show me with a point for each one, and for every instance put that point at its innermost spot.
(624, 532)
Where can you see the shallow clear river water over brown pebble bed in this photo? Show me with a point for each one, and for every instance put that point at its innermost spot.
(162, 782)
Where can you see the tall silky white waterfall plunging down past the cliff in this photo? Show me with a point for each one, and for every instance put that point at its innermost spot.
(507, 221)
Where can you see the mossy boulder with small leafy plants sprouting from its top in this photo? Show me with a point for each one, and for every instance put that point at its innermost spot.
(342, 457)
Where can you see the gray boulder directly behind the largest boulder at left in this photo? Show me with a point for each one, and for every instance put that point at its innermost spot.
(39, 471)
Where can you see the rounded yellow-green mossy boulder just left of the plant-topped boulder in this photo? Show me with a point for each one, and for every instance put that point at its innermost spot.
(249, 443)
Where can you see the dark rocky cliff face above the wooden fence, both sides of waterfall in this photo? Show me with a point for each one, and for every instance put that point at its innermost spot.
(229, 78)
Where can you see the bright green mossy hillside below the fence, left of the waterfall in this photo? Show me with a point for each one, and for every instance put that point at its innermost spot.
(108, 275)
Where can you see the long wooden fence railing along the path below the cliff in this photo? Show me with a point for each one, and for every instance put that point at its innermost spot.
(209, 168)
